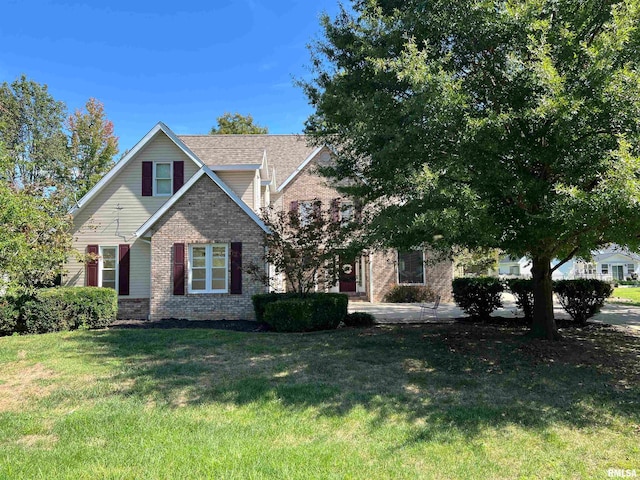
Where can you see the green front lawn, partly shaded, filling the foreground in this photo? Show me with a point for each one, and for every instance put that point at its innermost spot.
(439, 401)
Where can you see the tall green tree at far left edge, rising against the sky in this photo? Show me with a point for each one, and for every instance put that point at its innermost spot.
(32, 129)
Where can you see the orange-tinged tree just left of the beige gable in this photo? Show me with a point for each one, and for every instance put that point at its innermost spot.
(92, 146)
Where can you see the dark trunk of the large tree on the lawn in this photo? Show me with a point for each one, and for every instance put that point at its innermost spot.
(544, 324)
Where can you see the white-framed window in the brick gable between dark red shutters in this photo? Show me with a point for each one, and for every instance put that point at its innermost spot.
(208, 268)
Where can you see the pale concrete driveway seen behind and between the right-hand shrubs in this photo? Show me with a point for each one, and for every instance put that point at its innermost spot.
(612, 313)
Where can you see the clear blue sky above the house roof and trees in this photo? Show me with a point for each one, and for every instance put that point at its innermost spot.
(184, 63)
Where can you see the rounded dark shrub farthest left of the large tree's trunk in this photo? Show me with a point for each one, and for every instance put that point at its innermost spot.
(478, 296)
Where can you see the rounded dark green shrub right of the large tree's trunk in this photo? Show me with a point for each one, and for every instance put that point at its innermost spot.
(582, 298)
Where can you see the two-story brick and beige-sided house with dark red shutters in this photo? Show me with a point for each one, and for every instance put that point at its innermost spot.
(174, 221)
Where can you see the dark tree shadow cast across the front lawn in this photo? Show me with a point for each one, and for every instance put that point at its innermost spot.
(447, 379)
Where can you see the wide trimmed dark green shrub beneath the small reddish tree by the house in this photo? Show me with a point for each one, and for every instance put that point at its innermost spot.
(317, 311)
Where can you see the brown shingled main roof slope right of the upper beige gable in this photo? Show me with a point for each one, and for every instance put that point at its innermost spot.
(284, 153)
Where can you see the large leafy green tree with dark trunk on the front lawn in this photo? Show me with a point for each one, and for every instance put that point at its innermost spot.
(495, 124)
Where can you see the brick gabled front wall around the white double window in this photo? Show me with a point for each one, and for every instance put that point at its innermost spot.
(205, 214)
